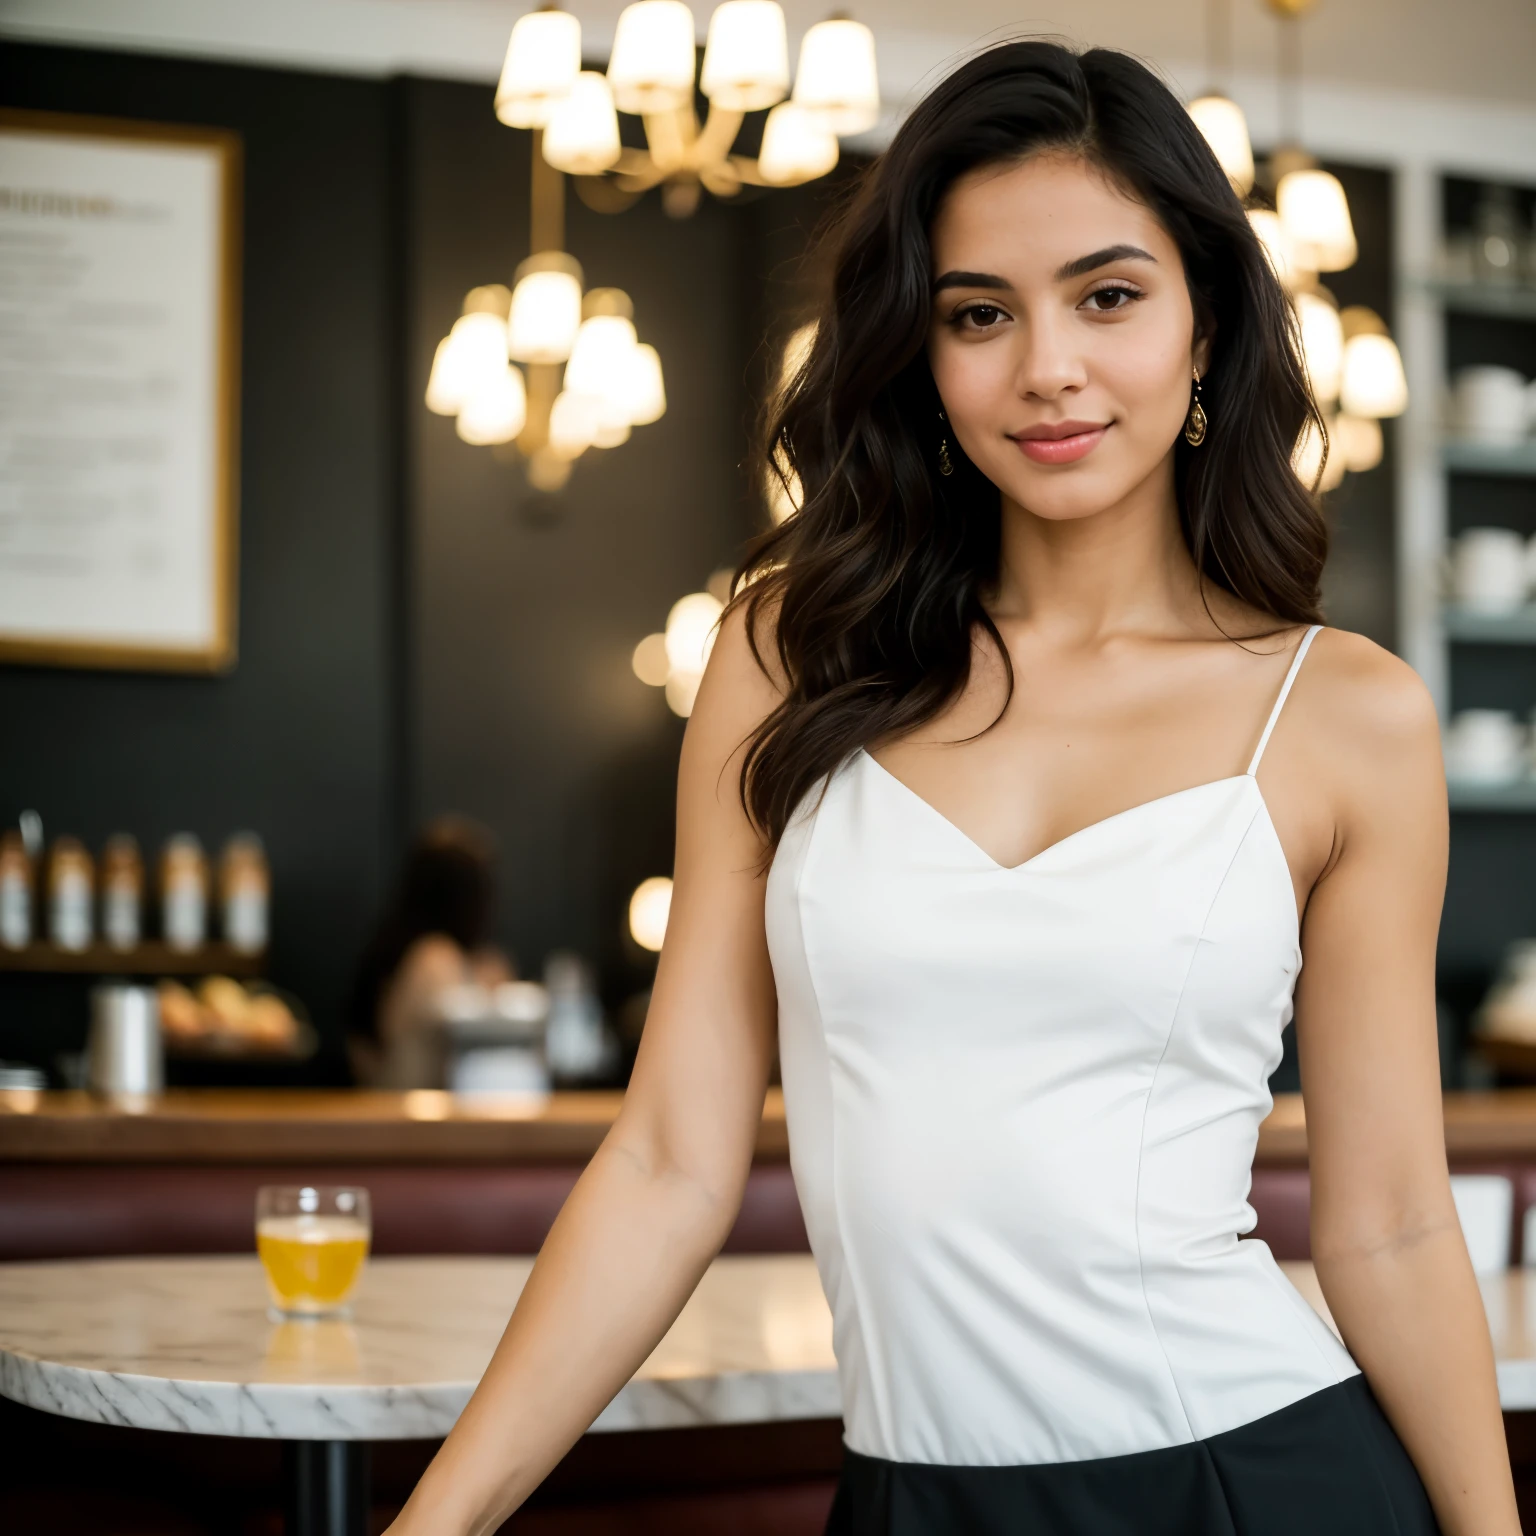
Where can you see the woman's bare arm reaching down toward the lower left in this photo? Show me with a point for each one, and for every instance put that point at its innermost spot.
(661, 1194)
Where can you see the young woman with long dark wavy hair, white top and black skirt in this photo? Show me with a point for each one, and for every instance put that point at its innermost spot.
(1021, 786)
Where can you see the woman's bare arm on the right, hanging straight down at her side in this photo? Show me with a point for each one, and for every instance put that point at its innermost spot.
(1386, 1242)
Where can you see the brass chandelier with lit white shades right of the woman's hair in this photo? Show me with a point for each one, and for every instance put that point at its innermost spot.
(1352, 362)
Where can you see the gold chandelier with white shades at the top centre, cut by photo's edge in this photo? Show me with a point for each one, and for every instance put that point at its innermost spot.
(652, 74)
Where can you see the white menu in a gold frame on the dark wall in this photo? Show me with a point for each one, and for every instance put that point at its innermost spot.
(119, 392)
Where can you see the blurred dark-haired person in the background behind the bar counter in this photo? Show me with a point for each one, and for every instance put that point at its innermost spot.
(434, 938)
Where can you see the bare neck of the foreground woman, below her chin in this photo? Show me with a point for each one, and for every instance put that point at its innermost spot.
(1084, 580)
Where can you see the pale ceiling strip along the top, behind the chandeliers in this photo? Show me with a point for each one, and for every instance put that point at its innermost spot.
(1478, 50)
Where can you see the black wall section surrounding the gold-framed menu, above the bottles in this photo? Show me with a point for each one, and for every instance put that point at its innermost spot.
(297, 743)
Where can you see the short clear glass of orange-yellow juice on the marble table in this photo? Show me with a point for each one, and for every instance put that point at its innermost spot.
(313, 1240)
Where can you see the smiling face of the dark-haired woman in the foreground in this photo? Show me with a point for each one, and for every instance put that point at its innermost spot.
(1062, 336)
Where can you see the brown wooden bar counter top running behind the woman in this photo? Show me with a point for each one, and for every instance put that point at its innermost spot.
(230, 1127)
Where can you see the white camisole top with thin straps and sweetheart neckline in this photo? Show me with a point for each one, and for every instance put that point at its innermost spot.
(1024, 1105)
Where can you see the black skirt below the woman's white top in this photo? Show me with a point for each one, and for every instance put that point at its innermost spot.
(1326, 1466)
